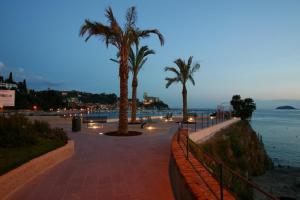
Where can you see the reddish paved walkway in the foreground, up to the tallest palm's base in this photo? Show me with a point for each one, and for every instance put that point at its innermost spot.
(108, 168)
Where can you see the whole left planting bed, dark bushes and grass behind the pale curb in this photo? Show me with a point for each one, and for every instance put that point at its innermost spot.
(22, 140)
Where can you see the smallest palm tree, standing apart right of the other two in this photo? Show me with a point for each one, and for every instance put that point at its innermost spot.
(184, 72)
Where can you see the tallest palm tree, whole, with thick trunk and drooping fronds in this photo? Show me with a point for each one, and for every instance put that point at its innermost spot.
(122, 39)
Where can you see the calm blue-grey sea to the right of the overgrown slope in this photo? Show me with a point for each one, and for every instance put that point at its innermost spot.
(280, 130)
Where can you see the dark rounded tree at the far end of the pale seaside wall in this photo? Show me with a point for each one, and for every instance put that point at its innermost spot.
(243, 108)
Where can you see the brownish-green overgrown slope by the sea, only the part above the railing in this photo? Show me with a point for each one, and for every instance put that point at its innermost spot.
(239, 147)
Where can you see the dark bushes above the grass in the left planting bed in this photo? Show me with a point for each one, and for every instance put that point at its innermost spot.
(18, 131)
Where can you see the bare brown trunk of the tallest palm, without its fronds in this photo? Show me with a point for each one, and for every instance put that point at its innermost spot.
(123, 103)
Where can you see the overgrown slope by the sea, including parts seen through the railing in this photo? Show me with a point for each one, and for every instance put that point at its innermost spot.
(239, 148)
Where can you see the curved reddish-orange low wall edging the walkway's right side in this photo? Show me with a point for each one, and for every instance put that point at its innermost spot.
(189, 178)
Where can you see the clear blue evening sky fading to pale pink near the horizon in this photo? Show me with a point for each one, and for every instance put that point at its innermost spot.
(251, 48)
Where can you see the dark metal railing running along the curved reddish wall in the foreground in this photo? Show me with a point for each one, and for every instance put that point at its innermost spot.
(240, 186)
